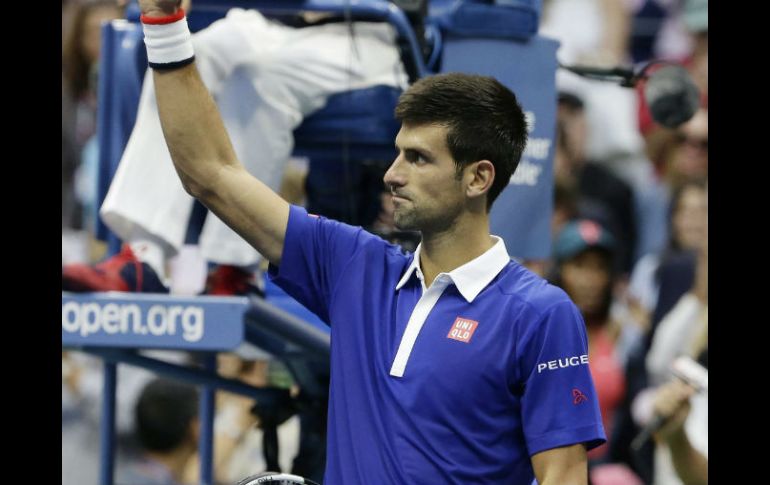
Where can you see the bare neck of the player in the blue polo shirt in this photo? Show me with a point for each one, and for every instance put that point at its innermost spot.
(444, 251)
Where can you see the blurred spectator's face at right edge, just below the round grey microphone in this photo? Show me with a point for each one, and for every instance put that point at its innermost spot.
(691, 156)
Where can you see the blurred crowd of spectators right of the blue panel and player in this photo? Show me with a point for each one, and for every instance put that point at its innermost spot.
(630, 228)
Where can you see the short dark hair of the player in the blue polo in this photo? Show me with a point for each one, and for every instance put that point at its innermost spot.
(484, 118)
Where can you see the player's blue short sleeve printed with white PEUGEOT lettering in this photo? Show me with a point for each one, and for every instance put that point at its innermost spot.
(559, 403)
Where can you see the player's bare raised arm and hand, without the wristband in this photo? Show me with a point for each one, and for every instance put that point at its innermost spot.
(204, 157)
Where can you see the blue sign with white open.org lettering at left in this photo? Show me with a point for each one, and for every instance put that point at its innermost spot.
(152, 321)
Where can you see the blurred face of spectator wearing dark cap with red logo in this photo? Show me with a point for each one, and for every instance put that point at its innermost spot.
(586, 279)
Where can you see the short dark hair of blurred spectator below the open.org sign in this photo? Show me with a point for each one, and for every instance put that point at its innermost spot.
(164, 413)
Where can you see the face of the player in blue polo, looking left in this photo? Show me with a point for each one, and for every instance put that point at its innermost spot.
(427, 194)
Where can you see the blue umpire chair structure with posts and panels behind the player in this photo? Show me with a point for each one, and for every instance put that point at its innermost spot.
(353, 131)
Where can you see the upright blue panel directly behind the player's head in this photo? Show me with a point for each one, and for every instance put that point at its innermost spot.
(521, 215)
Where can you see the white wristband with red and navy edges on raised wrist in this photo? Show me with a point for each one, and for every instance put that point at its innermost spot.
(169, 45)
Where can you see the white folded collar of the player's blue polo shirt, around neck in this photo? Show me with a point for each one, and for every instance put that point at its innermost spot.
(470, 278)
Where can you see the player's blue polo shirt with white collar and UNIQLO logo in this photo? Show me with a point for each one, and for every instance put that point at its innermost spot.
(461, 382)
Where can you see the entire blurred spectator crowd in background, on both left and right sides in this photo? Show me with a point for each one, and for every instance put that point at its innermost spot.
(630, 247)
